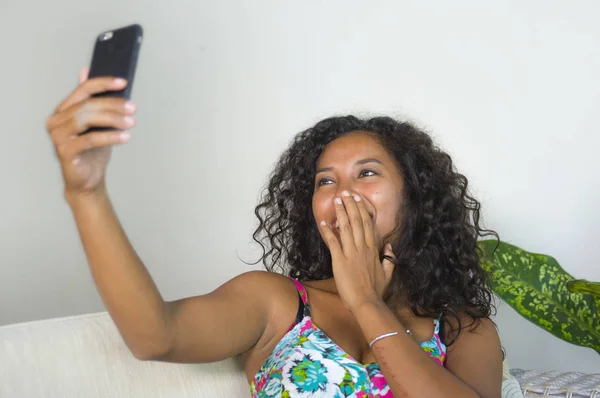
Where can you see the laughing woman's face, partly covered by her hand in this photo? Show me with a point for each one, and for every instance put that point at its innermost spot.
(359, 164)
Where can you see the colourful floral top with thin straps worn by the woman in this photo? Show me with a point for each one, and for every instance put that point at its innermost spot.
(307, 363)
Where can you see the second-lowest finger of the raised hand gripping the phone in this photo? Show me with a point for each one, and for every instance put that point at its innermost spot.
(83, 122)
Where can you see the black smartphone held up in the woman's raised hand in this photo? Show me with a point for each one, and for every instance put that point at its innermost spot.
(116, 54)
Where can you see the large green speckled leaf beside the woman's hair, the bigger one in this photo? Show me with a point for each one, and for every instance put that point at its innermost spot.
(535, 285)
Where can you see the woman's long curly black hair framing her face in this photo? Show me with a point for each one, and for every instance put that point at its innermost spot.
(438, 268)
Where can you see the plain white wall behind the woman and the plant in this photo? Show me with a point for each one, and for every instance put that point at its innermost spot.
(510, 88)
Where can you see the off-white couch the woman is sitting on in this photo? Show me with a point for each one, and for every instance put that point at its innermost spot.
(84, 356)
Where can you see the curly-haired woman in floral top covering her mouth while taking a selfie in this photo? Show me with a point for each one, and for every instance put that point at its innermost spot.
(384, 295)
